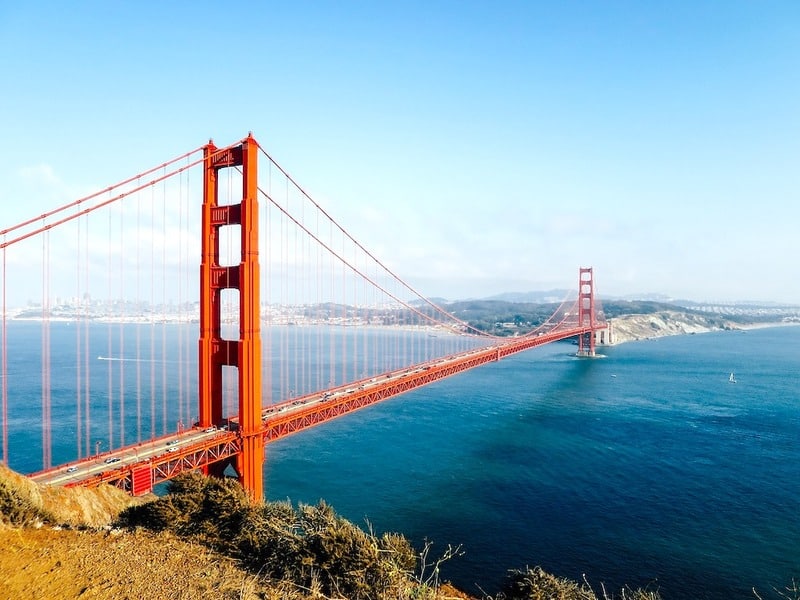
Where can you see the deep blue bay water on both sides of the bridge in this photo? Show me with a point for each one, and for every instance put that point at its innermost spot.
(644, 467)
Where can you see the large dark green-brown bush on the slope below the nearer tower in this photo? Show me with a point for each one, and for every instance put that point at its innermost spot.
(310, 546)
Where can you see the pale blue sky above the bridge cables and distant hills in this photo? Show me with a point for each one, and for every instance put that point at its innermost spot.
(475, 148)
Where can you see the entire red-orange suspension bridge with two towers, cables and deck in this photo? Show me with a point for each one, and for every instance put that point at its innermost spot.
(152, 373)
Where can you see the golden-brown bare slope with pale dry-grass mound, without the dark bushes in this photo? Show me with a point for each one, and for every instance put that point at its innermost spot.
(58, 543)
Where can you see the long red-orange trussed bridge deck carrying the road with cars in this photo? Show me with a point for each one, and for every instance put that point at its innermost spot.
(137, 468)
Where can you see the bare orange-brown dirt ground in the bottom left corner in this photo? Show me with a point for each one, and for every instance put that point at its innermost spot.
(63, 564)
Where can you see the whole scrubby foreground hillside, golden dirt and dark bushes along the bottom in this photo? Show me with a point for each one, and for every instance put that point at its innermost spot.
(205, 539)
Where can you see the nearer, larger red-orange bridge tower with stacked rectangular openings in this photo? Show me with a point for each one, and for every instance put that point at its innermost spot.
(244, 353)
